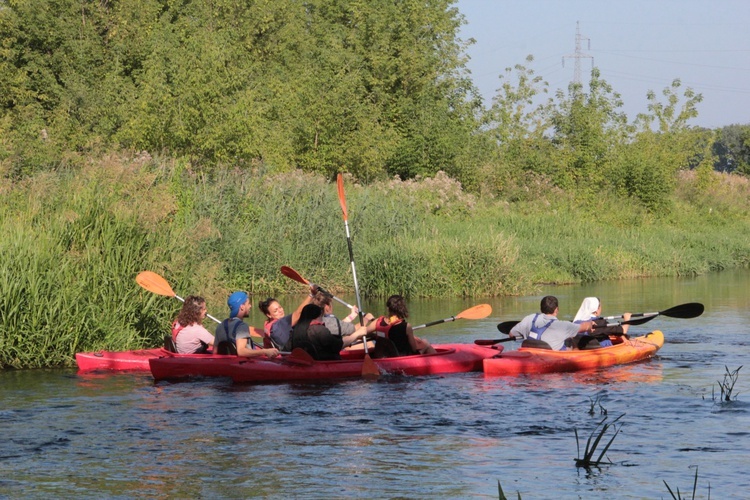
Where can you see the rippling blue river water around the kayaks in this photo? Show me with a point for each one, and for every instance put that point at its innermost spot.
(123, 436)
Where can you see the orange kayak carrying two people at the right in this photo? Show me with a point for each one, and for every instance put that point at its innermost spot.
(532, 360)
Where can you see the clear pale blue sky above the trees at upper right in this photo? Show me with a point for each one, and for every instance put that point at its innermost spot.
(638, 45)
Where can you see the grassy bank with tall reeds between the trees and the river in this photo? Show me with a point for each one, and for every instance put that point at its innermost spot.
(73, 242)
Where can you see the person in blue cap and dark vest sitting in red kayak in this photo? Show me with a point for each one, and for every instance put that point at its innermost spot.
(233, 334)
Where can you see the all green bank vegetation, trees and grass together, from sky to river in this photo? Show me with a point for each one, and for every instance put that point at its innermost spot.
(199, 140)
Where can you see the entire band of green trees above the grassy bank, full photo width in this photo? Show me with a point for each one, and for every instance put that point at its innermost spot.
(375, 88)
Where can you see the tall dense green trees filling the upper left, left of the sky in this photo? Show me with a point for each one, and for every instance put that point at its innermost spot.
(318, 85)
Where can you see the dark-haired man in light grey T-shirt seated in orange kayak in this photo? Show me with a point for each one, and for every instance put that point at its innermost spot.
(544, 330)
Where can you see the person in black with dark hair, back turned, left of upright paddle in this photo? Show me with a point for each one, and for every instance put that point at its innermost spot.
(311, 334)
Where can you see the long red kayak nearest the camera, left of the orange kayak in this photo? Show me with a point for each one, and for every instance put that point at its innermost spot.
(449, 358)
